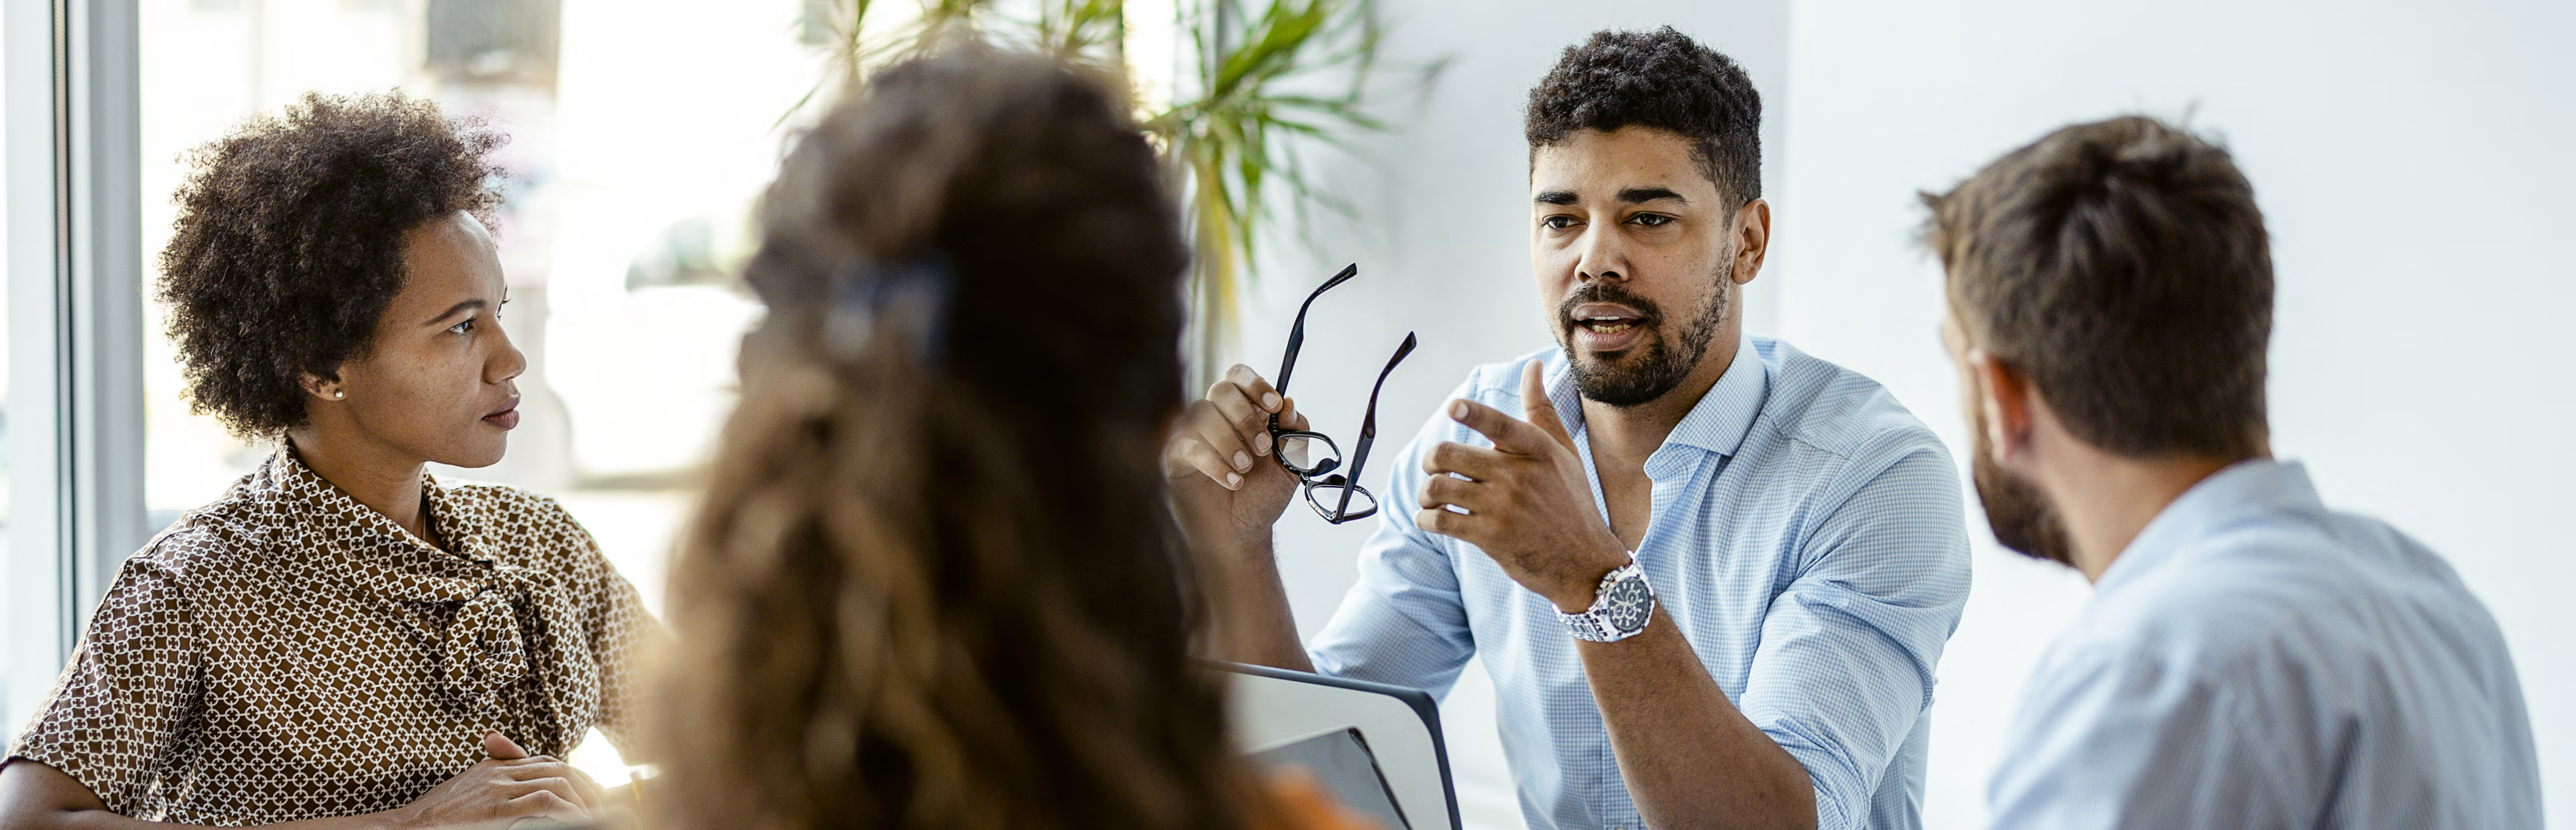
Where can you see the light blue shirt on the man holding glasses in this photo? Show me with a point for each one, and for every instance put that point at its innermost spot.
(1807, 537)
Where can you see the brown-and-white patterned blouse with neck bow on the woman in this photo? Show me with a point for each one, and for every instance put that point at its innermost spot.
(290, 653)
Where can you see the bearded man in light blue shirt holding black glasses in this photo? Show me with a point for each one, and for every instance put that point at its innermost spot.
(1709, 574)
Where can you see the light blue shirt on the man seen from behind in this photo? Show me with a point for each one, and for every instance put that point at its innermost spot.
(2258, 661)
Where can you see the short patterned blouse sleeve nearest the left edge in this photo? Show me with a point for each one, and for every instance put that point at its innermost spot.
(117, 713)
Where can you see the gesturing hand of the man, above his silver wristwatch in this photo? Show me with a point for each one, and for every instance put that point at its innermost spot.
(1526, 499)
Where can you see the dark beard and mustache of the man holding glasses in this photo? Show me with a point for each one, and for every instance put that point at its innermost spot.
(1655, 365)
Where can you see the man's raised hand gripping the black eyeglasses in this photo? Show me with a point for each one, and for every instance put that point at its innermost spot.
(1222, 465)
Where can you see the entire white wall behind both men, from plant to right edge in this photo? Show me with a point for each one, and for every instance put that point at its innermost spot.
(2407, 156)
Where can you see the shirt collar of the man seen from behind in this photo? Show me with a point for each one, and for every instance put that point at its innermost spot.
(2245, 488)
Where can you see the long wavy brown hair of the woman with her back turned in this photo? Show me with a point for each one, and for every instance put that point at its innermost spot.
(934, 581)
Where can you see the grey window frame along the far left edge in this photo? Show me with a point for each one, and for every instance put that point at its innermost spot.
(76, 434)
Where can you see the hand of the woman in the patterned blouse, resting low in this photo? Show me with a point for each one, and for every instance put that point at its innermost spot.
(504, 790)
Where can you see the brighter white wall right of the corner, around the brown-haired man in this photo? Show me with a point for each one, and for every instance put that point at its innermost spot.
(2415, 166)
